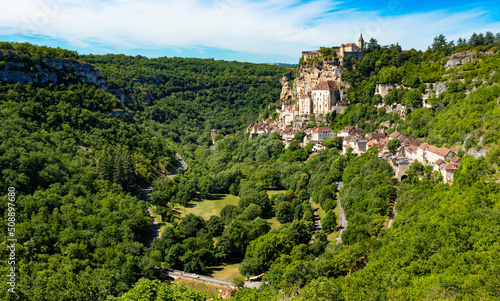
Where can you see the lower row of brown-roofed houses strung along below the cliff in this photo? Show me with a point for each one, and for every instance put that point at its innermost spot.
(354, 140)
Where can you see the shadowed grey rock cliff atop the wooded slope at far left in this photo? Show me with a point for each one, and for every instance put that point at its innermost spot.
(49, 70)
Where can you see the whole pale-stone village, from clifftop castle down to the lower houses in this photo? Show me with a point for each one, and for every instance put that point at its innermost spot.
(318, 91)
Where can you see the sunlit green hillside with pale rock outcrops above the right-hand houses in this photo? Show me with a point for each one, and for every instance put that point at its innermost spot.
(447, 97)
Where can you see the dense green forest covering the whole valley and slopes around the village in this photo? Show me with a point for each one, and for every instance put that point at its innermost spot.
(78, 157)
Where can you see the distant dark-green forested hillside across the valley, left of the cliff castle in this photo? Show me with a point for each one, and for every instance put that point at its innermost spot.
(186, 98)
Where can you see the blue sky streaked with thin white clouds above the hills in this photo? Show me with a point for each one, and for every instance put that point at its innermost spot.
(259, 31)
